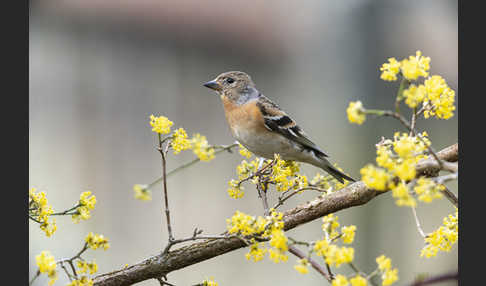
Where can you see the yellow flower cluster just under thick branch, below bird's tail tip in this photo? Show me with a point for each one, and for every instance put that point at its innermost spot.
(332, 253)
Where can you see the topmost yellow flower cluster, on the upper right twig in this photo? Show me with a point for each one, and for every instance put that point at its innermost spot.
(411, 68)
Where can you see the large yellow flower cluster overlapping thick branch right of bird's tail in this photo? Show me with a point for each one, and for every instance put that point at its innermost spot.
(397, 159)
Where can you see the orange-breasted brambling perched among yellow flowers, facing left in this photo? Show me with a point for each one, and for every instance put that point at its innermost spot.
(262, 127)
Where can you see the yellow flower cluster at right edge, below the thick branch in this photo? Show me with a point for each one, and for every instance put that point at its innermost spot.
(443, 238)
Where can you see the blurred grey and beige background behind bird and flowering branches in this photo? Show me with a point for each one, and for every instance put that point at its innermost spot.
(98, 69)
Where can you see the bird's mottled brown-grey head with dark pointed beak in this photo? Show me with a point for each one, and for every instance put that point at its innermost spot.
(234, 85)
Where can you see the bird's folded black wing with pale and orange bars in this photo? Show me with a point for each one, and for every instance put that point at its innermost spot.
(277, 120)
